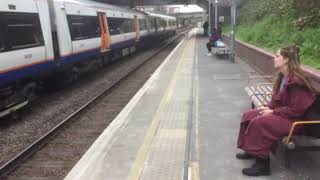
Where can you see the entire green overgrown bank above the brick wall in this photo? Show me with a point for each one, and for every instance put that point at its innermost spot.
(273, 24)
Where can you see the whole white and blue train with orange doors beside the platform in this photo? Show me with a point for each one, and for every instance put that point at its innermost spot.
(48, 38)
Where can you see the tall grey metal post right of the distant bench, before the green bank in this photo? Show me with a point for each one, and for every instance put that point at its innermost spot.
(233, 31)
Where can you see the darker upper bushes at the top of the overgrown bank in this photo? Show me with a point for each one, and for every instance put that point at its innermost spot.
(306, 12)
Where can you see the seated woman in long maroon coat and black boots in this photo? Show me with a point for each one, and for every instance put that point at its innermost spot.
(261, 128)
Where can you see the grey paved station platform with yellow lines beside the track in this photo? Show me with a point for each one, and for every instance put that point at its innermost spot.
(182, 124)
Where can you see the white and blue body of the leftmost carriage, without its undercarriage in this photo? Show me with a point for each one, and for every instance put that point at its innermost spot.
(25, 39)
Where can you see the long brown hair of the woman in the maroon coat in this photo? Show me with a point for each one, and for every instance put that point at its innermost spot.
(292, 53)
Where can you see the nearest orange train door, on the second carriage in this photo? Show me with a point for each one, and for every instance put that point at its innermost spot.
(105, 36)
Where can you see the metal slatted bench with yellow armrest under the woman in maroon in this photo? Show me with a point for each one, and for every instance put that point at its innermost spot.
(260, 94)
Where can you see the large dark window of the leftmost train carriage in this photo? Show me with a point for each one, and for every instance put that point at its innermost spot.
(21, 30)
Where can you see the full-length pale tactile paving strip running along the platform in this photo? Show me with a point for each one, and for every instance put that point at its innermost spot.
(166, 156)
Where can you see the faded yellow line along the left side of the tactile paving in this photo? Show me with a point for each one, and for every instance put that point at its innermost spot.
(138, 165)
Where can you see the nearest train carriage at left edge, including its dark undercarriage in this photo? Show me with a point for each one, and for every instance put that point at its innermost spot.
(26, 50)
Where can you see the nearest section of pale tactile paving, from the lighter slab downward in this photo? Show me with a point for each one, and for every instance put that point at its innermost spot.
(166, 157)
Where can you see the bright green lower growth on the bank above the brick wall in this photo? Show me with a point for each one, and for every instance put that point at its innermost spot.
(272, 33)
